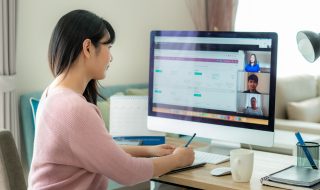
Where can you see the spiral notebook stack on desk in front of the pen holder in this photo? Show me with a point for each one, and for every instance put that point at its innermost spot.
(294, 177)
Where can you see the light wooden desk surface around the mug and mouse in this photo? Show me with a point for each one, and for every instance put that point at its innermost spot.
(264, 164)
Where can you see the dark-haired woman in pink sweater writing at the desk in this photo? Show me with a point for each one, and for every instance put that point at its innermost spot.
(72, 149)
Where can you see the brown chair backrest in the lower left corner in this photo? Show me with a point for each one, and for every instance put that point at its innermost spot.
(11, 171)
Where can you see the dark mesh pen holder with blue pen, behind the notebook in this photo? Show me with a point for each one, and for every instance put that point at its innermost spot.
(302, 159)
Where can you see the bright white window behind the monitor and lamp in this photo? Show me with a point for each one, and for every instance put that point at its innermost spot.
(286, 18)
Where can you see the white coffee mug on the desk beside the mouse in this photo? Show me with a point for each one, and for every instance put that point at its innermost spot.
(241, 162)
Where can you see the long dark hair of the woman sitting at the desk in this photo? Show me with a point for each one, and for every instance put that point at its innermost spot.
(66, 43)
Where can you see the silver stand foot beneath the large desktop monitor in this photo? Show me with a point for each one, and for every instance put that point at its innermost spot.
(220, 147)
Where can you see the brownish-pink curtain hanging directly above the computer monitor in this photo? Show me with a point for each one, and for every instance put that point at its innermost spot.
(213, 15)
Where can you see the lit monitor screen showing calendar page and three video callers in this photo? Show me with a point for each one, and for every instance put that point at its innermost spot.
(230, 84)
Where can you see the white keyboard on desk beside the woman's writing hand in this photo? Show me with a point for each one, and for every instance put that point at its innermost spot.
(210, 157)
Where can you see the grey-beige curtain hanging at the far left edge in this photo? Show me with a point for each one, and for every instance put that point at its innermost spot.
(8, 97)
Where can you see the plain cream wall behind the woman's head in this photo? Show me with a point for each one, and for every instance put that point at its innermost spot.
(132, 20)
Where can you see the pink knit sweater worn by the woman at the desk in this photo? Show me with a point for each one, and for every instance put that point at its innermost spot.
(73, 150)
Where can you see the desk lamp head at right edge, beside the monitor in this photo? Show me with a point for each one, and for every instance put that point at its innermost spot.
(309, 45)
